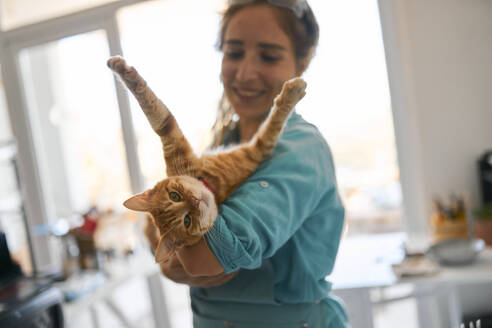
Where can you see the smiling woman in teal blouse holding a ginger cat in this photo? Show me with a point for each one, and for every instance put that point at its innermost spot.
(264, 261)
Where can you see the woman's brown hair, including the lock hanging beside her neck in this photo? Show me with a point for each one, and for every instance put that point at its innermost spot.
(304, 34)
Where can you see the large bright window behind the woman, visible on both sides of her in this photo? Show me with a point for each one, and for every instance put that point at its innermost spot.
(347, 97)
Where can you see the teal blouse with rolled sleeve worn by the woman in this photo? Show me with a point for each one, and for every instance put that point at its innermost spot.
(281, 228)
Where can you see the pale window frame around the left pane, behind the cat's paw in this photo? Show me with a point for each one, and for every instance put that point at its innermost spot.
(39, 205)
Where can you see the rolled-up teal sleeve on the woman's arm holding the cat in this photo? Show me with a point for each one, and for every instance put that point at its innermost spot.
(268, 208)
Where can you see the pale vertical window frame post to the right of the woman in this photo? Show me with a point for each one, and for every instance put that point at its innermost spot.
(397, 45)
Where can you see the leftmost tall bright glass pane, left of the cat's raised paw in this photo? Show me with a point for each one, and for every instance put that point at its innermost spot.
(72, 100)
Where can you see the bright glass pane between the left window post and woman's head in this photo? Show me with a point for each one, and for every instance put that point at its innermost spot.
(182, 69)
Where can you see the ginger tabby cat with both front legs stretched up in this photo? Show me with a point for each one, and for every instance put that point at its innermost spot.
(184, 205)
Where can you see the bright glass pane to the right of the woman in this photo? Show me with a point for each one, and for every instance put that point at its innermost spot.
(348, 100)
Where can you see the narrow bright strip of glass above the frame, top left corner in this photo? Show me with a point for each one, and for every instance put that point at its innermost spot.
(15, 13)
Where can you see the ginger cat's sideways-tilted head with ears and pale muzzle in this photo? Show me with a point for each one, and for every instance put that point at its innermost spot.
(183, 210)
